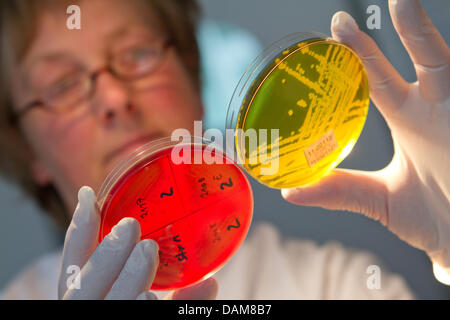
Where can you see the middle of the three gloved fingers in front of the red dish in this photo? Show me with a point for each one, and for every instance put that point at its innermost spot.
(104, 266)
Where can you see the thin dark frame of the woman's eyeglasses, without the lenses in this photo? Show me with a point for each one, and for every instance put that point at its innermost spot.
(92, 77)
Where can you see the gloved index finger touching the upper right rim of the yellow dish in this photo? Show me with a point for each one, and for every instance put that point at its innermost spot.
(388, 90)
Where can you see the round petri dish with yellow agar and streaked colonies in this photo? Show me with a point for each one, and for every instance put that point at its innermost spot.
(298, 110)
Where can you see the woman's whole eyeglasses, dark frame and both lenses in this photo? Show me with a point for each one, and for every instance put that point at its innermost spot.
(131, 65)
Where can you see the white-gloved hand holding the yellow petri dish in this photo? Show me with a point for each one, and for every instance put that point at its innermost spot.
(411, 196)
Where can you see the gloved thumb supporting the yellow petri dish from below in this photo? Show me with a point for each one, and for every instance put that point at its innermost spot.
(345, 189)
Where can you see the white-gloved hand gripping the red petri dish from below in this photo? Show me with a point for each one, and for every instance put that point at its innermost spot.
(120, 267)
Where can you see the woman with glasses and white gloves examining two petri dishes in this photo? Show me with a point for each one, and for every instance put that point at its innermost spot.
(79, 100)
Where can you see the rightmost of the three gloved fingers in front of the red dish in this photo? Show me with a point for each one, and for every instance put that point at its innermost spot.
(138, 273)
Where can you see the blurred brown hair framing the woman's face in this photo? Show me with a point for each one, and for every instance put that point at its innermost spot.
(18, 19)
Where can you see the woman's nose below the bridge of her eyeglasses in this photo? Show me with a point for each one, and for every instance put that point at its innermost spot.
(111, 98)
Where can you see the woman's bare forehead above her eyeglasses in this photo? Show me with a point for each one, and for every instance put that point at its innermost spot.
(102, 23)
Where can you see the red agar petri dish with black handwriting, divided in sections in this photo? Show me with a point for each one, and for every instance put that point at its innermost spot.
(189, 197)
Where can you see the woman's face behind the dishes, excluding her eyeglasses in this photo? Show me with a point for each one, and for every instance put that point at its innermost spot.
(81, 146)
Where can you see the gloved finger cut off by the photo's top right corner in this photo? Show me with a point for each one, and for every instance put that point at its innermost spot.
(426, 47)
